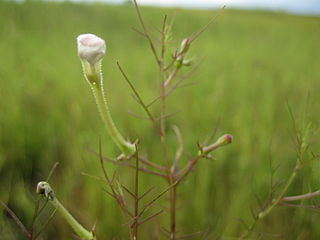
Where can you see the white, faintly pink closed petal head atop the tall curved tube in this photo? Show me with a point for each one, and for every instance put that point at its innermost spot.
(91, 48)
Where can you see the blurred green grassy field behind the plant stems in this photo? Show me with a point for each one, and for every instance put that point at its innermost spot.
(255, 62)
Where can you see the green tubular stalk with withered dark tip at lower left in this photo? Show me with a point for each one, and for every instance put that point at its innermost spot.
(45, 189)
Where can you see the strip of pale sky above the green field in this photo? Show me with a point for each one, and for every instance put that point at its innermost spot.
(295, 6)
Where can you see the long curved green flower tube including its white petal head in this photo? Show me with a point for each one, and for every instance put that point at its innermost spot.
(91, 50)
